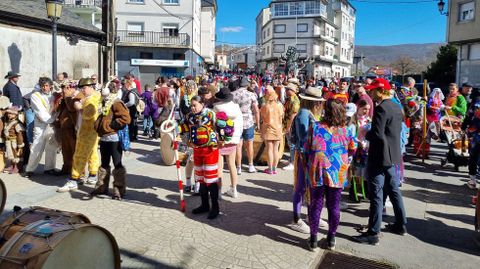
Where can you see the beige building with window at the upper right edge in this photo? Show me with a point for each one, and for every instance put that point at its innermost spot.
(464, 32)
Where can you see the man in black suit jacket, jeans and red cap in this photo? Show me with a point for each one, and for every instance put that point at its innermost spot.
(383, 155)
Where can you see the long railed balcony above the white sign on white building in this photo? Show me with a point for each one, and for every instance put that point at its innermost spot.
(152, 39)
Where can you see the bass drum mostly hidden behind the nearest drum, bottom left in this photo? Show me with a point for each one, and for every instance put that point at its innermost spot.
(21, 218)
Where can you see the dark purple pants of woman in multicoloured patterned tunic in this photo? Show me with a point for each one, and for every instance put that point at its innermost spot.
(333, 197)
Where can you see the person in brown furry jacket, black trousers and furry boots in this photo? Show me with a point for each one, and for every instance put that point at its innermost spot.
(114, 117)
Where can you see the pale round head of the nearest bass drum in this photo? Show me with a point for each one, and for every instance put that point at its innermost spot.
(88, 246)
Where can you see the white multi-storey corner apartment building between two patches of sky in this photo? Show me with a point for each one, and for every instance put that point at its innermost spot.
(322, 32)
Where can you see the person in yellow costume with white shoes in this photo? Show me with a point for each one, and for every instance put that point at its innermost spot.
(87, 138)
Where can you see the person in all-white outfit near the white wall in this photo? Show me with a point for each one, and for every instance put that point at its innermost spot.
(42, 104)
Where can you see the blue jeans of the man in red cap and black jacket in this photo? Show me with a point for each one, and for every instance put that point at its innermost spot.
(382, 180)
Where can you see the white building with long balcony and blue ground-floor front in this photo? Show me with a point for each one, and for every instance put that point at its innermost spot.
(165, 37)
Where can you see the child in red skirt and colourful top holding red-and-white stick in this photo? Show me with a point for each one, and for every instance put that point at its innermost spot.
(200, 124)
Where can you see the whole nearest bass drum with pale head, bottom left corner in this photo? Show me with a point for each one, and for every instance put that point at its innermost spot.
(50, 245)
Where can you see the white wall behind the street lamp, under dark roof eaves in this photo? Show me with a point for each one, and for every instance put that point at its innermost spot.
(29, 51)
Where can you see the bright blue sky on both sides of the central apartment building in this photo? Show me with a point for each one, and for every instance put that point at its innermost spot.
(377, 23)
